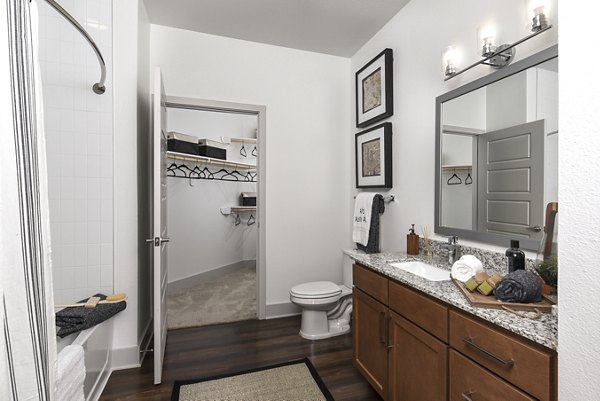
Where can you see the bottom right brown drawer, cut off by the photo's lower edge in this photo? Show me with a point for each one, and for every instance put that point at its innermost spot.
(469, 381)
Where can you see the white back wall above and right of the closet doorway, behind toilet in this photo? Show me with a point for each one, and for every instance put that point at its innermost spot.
(307, 98)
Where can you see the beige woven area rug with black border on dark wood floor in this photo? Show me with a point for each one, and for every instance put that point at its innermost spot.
(292, 381)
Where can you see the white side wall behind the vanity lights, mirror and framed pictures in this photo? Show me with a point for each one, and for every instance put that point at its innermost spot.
(418, 80)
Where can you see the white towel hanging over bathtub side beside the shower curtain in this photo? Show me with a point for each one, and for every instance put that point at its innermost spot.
(70, 374)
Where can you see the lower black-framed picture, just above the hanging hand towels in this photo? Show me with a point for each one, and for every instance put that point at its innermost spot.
(373, 150)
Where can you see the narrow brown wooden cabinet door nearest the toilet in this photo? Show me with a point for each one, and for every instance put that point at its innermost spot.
(369, 331)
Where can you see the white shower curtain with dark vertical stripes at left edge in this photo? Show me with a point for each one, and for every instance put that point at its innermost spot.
(28, 342)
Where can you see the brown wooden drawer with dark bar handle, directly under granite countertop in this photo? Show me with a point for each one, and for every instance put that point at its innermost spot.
(509, 357)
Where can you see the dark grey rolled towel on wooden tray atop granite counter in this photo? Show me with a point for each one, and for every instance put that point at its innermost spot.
(519, 286)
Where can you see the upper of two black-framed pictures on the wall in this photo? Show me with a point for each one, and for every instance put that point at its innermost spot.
(374, 87)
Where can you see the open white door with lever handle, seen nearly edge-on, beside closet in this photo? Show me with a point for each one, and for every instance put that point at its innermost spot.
(159, 225)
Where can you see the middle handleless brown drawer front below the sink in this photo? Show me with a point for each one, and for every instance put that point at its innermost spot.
(424, 312)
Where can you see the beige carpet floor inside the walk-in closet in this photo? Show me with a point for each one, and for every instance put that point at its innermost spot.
(228, 298)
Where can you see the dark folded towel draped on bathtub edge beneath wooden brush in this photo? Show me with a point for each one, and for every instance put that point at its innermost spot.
(72, 320)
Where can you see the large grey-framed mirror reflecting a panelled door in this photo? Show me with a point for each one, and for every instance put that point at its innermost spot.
(497, 153)
